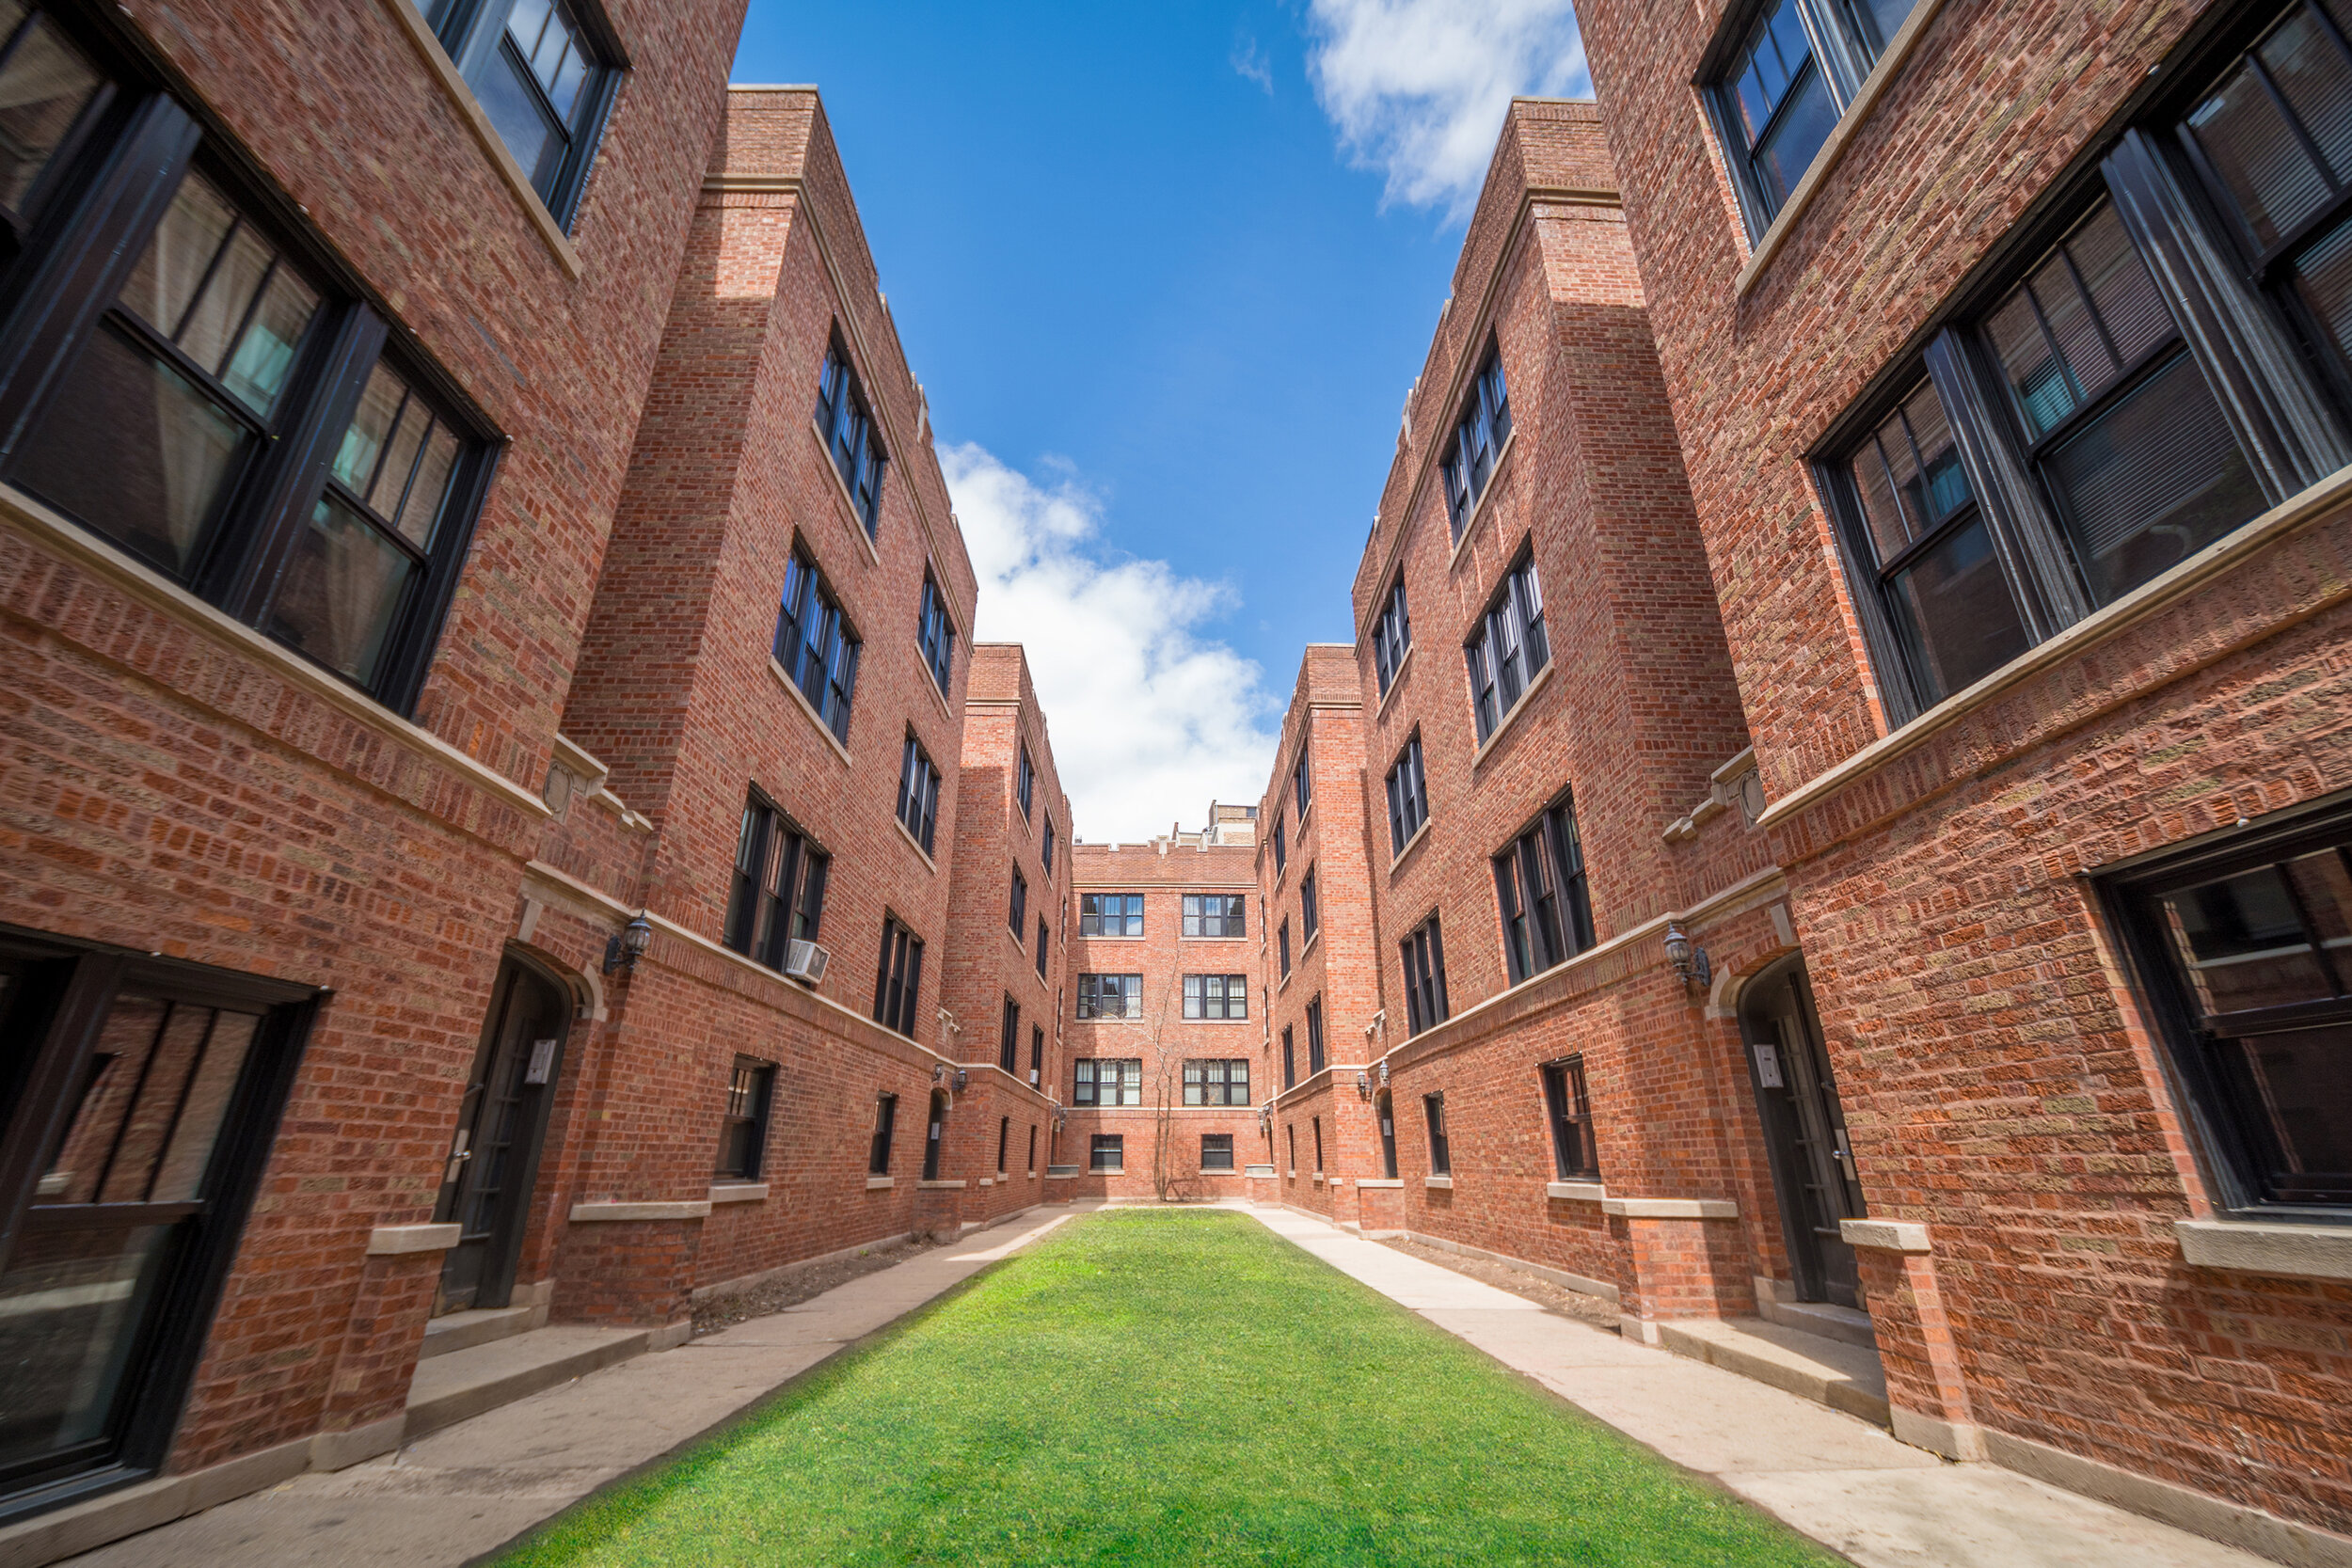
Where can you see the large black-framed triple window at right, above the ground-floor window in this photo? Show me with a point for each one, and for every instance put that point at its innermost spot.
(2064, 441)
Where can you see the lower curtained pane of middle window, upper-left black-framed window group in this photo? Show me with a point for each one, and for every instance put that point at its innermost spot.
(135, 450)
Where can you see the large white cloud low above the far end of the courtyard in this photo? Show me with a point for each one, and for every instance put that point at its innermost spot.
(1151, 721)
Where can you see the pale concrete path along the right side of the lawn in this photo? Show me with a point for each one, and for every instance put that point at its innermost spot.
(1829, 1475)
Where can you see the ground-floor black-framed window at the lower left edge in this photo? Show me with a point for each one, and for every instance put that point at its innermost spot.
(145, 1101)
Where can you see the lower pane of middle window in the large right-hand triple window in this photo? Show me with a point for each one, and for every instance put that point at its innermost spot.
(2153, 481)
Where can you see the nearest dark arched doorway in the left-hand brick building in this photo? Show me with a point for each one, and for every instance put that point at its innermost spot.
(500, 1127)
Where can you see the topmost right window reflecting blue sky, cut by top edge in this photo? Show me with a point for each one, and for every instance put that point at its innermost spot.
(1779, 95)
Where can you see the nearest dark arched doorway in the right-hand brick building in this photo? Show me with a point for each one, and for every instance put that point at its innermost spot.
(1805, 1130)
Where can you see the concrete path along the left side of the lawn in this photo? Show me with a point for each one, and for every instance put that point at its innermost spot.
(467, 1489)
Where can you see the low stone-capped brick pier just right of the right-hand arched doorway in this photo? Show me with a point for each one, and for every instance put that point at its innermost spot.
(1925, 1386)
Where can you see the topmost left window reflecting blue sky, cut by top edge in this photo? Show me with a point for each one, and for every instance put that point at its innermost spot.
(544, 74)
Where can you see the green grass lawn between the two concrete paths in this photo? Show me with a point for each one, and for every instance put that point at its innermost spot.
(1165, 1388)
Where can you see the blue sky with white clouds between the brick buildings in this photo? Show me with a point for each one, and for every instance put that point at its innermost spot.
(1165, 274)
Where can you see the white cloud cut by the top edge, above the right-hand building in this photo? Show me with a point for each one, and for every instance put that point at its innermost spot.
(1417, 88)
